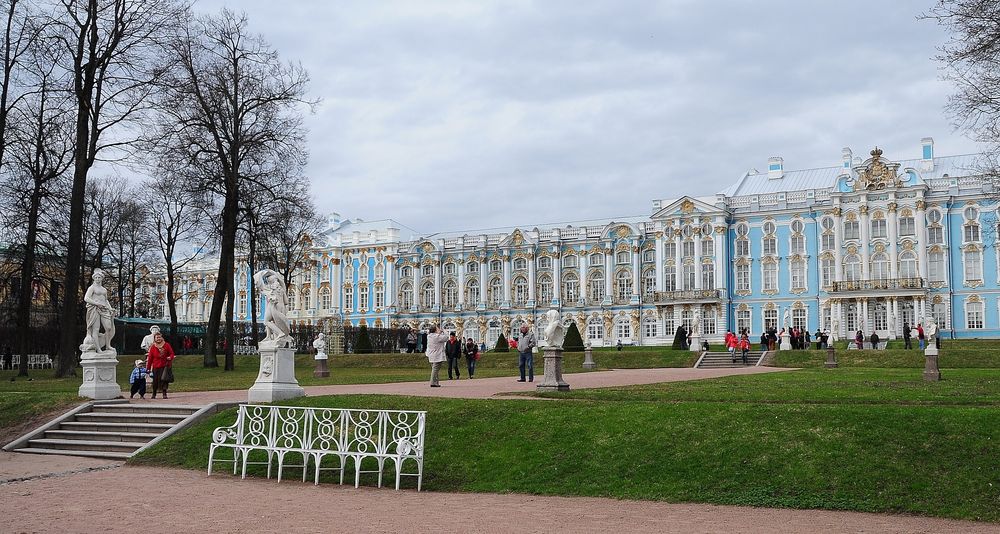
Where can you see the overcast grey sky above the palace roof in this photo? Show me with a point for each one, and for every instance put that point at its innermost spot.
(467, 115)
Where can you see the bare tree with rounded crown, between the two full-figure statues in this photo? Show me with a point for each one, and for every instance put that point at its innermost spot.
(233, 111)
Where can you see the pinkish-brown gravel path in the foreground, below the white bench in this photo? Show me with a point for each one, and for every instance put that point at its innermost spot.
(129, 499)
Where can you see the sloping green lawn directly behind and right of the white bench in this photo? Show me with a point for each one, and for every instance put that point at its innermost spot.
(867, 440)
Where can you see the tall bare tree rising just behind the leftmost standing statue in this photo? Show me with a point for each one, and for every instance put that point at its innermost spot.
(114, 52)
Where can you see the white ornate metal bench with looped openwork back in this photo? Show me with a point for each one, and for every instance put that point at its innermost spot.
(315, 433)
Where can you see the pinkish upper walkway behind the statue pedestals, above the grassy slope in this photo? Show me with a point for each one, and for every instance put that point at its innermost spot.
(481, 388)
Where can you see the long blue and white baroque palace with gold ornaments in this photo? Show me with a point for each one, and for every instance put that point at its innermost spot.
(868, 244)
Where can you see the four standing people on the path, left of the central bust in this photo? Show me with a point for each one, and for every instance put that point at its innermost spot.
(442, 347)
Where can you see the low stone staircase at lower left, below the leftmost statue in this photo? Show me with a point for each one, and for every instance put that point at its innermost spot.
(110, 430)
